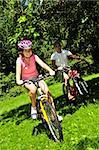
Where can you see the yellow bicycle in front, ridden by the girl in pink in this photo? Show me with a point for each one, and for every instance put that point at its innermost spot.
(46, 110)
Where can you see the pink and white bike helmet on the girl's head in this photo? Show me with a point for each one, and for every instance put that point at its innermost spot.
(25, 44)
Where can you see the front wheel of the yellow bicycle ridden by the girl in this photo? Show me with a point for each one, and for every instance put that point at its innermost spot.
(51, 119)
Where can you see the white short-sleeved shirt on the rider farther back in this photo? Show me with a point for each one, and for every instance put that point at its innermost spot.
(61, 58)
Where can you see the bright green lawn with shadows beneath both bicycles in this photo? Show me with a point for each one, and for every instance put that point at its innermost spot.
(80, 124)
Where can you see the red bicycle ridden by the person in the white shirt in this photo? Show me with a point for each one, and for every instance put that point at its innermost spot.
(75, 86)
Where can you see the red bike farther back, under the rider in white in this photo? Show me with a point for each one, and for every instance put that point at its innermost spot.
(74, 89)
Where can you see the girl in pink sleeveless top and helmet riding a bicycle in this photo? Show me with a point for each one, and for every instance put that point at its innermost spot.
(26, 69)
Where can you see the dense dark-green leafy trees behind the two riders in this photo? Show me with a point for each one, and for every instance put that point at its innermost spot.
(75, 24)
